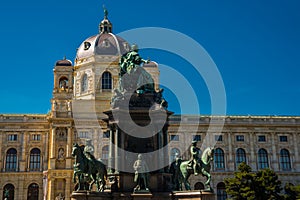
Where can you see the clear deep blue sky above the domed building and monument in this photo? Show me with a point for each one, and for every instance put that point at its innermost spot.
(254, 44)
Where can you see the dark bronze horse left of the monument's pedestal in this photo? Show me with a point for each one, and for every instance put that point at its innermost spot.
(93, 169)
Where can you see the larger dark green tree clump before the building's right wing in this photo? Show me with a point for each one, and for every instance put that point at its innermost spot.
(247, 185)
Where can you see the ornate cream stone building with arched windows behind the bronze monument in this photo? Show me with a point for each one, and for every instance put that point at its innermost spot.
(35, 150)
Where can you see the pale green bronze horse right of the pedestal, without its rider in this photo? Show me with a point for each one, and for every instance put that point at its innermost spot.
(203, 167)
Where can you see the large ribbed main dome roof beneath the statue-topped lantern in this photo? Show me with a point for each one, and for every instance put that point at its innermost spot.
(103, 44)
